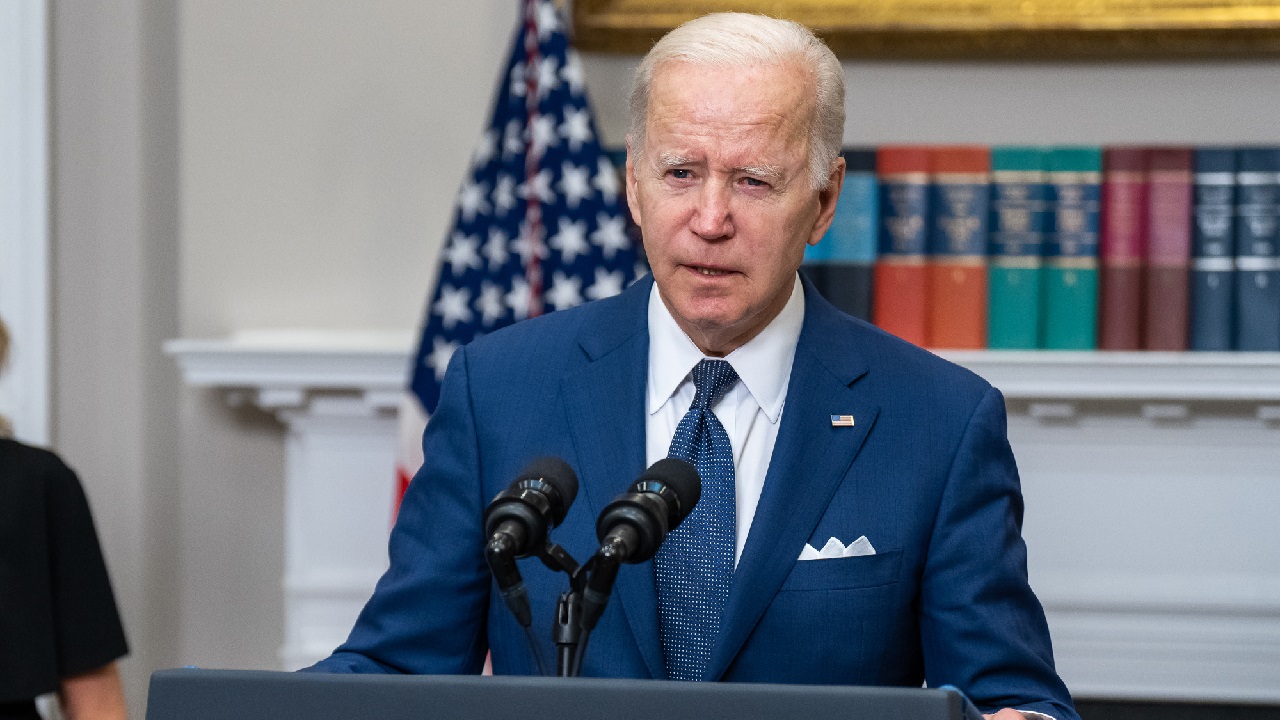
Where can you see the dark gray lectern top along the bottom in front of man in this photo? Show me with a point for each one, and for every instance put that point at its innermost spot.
(248, 695)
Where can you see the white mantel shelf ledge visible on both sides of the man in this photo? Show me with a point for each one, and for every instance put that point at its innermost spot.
(380, 362)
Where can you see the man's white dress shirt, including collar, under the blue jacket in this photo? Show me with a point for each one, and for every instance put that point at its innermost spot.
(752, 409)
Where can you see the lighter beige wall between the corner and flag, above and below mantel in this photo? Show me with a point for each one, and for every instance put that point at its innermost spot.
(322, 145)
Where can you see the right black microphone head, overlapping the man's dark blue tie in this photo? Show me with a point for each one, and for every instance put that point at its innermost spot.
(633, 527)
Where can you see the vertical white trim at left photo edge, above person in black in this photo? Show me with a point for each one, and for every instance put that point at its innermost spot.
(25, 216)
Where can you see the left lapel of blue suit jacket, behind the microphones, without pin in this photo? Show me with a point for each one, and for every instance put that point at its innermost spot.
(605, 405)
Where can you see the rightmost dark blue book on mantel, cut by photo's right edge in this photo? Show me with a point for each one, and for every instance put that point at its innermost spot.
(1258, 249)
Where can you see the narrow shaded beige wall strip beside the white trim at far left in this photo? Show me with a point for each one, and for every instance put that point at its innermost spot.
(115, 295)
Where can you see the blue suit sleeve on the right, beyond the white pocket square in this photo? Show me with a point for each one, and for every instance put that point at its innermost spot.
(982, 628)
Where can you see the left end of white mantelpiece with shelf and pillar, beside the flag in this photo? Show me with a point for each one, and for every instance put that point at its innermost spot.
(337, 395)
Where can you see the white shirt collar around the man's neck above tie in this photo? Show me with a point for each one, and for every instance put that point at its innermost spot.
(764, 363)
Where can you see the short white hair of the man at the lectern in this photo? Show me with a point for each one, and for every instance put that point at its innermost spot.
(742, 40)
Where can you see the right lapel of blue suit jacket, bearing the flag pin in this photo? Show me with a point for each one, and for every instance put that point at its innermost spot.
(811, 459)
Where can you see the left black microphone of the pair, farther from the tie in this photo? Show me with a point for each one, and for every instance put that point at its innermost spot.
(518, 522)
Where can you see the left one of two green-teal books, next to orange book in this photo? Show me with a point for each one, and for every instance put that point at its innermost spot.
(1020, 218)
